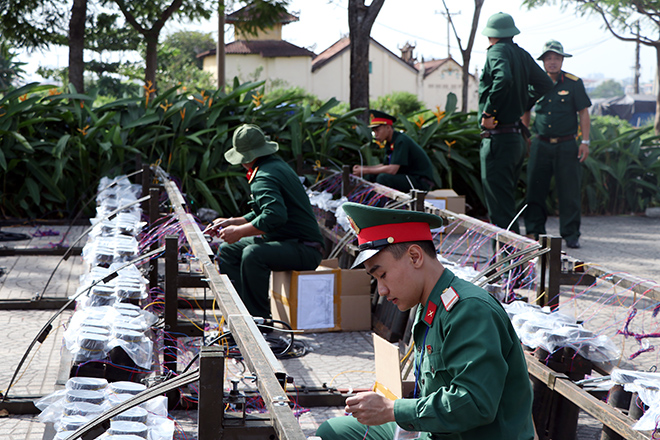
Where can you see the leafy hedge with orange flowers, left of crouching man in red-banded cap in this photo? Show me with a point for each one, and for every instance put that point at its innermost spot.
(63, 144)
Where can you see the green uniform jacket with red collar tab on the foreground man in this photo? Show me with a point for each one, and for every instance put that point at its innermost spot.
(473, 378)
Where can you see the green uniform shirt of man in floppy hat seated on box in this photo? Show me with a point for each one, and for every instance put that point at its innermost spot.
(279, 202)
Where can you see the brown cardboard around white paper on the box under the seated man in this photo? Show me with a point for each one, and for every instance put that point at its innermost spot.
(351, 297)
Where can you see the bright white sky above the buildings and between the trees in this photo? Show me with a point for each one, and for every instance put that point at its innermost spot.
(596, 52)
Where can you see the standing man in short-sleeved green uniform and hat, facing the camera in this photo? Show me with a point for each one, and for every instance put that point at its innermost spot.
(555, 150)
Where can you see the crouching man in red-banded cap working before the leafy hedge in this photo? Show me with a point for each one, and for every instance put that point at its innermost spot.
(407, 165)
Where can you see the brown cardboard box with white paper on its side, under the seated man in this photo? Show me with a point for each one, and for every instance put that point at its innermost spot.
(326, 299)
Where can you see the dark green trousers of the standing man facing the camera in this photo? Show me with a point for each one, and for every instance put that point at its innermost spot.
(560, 160)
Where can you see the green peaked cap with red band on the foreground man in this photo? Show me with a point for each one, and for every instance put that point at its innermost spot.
(377, 228)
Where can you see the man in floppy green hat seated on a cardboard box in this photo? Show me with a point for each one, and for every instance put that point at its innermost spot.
(280, 233)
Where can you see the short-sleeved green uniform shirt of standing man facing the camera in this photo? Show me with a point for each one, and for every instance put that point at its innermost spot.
(556, 111)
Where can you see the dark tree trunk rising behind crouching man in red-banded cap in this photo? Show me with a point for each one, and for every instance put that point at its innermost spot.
(360, 20)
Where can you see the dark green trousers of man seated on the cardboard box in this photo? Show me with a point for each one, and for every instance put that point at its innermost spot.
(249, 261)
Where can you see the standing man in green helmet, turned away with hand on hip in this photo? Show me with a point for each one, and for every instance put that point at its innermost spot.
(510, 84)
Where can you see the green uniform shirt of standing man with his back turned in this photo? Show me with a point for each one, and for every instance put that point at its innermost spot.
(504, 91)
